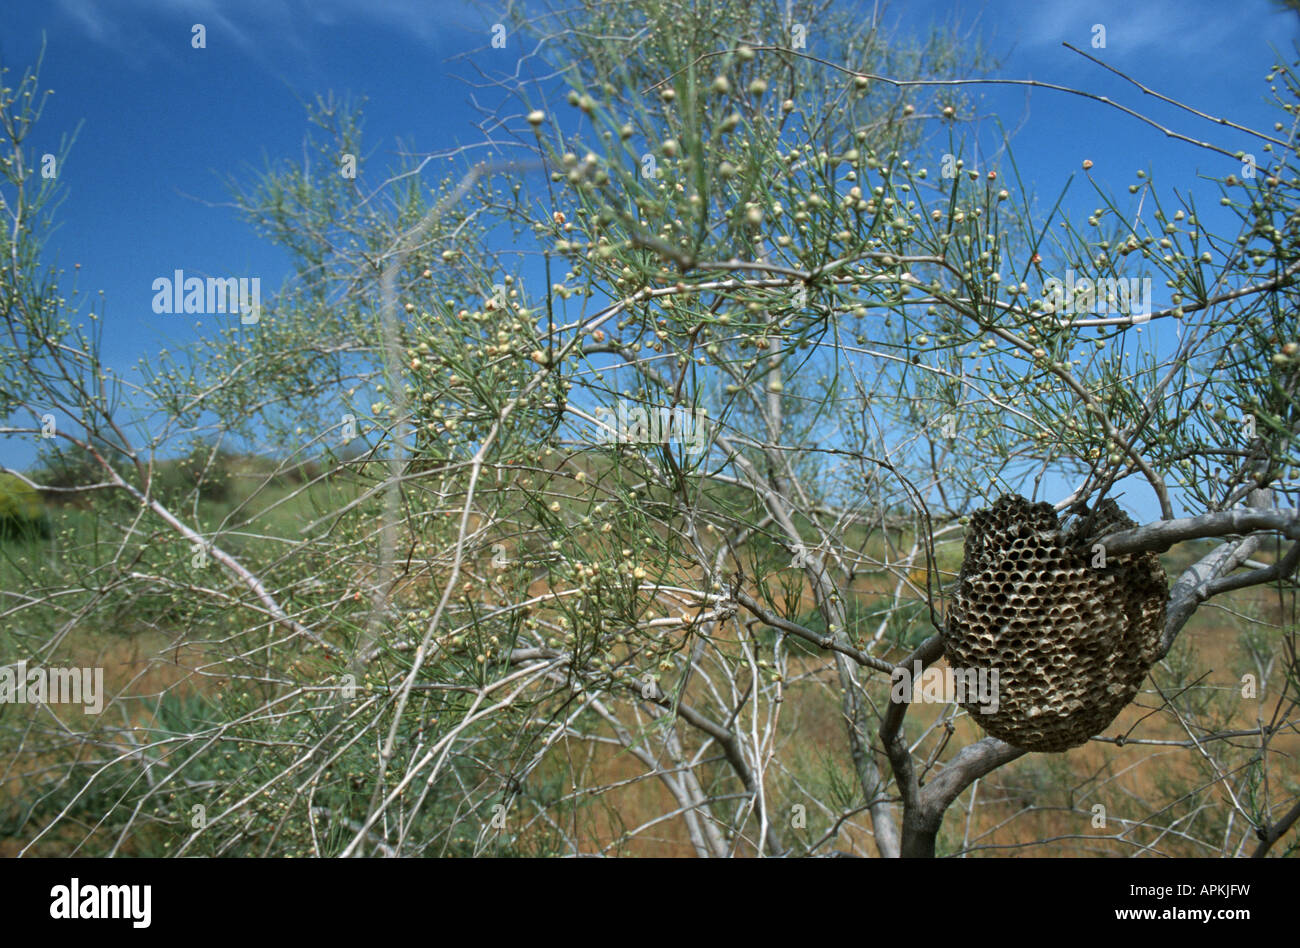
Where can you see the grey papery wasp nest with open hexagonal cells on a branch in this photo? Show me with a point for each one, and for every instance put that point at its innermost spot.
(1072, 642)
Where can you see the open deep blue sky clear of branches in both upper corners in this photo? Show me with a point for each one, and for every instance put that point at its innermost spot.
(163, 124)
